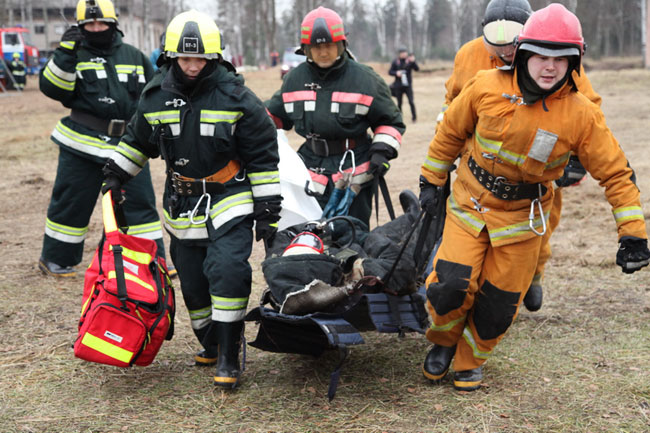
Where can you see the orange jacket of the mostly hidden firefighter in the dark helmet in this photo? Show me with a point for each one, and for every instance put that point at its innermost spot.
(473, 57)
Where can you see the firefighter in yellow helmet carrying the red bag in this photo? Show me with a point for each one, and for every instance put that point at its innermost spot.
(220, 148)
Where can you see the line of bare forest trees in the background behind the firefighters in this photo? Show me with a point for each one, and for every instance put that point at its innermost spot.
(375, 28)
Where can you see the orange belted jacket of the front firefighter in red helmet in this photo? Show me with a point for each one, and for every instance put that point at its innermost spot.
(525, 143)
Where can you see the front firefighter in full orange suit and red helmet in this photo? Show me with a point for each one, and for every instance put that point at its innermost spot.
(525, 123)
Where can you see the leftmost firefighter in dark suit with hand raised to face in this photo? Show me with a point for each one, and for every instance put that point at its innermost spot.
(99, 78)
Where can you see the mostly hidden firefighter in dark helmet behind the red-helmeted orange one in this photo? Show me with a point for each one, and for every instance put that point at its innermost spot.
(502, 22)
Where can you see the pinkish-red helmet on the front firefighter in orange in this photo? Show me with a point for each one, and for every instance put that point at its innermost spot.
(553, 31)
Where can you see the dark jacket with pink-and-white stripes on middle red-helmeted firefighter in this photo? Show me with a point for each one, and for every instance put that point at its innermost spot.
(343, 101)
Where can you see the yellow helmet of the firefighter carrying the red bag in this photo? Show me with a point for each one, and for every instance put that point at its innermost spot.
(192, 34)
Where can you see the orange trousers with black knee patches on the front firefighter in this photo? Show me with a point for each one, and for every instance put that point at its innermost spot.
(474, 291)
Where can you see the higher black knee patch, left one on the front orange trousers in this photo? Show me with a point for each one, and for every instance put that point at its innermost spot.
(450, 290)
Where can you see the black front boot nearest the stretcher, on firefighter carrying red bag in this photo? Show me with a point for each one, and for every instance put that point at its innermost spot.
(228, 369)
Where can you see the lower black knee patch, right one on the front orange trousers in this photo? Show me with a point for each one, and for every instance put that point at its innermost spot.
(494, 310)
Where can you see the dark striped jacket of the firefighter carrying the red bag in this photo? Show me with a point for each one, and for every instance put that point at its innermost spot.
(198, 135)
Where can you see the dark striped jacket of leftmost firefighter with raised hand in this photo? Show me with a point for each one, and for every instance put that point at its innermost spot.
(103, 83)
